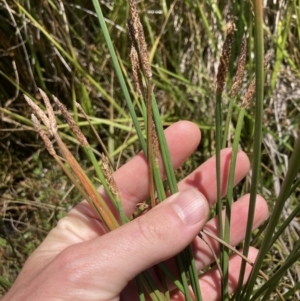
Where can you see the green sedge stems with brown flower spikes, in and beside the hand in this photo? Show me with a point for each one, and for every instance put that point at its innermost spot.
(145, 115)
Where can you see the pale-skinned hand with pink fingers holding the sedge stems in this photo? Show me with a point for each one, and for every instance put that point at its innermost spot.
(79, 261)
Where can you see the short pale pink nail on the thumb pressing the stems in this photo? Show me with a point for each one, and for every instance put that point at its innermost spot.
(191, 206)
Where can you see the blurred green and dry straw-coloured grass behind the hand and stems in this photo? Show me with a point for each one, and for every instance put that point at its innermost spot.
(59, 47)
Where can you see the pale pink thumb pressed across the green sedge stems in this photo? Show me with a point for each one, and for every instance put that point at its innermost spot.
(151, 238)
